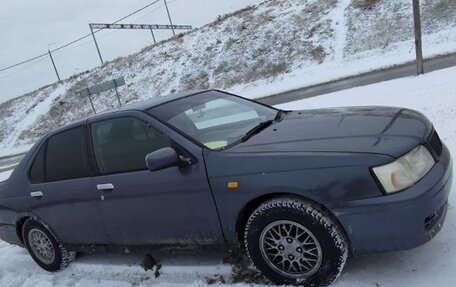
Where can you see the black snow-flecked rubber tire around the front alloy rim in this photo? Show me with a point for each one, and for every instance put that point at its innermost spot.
(326, 231)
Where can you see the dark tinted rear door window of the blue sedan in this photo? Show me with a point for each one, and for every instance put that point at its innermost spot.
(65, 156)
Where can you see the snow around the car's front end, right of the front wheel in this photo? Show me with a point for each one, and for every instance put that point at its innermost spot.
(433, 264)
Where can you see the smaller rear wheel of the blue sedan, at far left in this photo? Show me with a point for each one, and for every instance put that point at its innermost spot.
(44, 247)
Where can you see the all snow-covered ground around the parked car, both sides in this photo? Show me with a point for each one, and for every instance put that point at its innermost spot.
(430, 265)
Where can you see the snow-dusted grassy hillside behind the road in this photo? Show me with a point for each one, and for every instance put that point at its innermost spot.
(260, 50)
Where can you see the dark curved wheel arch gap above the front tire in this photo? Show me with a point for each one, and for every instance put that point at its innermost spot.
(254, 203)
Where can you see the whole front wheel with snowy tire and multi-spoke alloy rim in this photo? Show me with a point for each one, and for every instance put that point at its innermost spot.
(292, 241)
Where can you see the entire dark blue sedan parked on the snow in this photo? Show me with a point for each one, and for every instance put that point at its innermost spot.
(298, 190)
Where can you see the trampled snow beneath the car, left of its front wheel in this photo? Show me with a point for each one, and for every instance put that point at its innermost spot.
(17, 269)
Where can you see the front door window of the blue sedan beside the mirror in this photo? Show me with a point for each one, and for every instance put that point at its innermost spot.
(121, 145)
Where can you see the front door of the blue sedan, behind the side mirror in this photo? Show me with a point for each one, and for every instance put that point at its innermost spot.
(140, 207)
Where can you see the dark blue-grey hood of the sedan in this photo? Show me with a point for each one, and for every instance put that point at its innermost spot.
(381, 130)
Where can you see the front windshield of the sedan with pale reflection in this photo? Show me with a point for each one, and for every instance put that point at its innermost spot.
(214, 119)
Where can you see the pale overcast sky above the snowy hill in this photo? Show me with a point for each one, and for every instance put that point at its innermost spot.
(28, 27)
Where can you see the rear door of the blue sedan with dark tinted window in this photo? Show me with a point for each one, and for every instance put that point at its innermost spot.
(59, 191)
